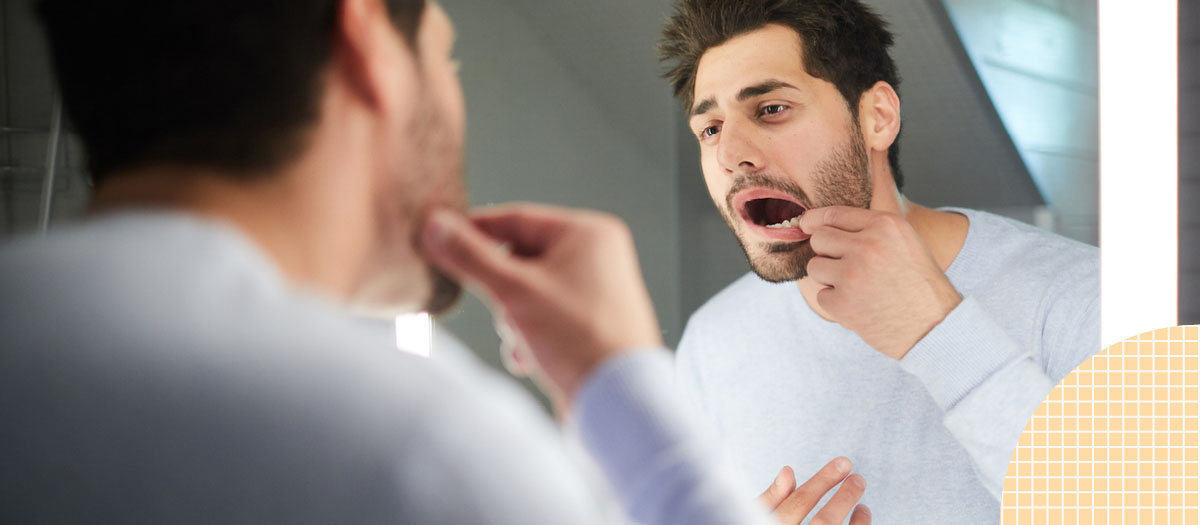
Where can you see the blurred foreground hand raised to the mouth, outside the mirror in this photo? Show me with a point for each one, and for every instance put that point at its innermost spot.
(567, 282)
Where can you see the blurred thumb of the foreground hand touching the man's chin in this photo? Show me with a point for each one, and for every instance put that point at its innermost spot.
(460, 250)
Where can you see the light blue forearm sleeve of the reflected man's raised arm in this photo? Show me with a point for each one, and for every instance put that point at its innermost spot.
(985, 383)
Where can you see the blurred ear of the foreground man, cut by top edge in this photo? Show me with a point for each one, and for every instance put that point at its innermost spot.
(370, 56)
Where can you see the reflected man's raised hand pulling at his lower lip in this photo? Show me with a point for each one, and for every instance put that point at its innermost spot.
(880, 280)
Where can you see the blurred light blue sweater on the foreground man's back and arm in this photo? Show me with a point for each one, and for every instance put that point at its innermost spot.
(159, 369)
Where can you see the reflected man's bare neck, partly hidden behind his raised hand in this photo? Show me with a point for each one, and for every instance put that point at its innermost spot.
(944, 233)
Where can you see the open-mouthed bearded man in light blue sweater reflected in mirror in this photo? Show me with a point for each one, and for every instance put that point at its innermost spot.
(916, 342)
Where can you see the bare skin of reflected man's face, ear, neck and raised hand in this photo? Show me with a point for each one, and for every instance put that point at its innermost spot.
(879, 271)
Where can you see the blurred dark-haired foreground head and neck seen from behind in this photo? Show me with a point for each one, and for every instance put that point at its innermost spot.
(346, 116)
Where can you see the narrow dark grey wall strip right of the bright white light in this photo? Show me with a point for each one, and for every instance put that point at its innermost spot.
(1190, 162)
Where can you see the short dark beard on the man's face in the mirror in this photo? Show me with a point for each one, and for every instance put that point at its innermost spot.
(844, 179)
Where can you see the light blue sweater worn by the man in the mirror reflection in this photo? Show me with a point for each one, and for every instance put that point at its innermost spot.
(932, 433)
